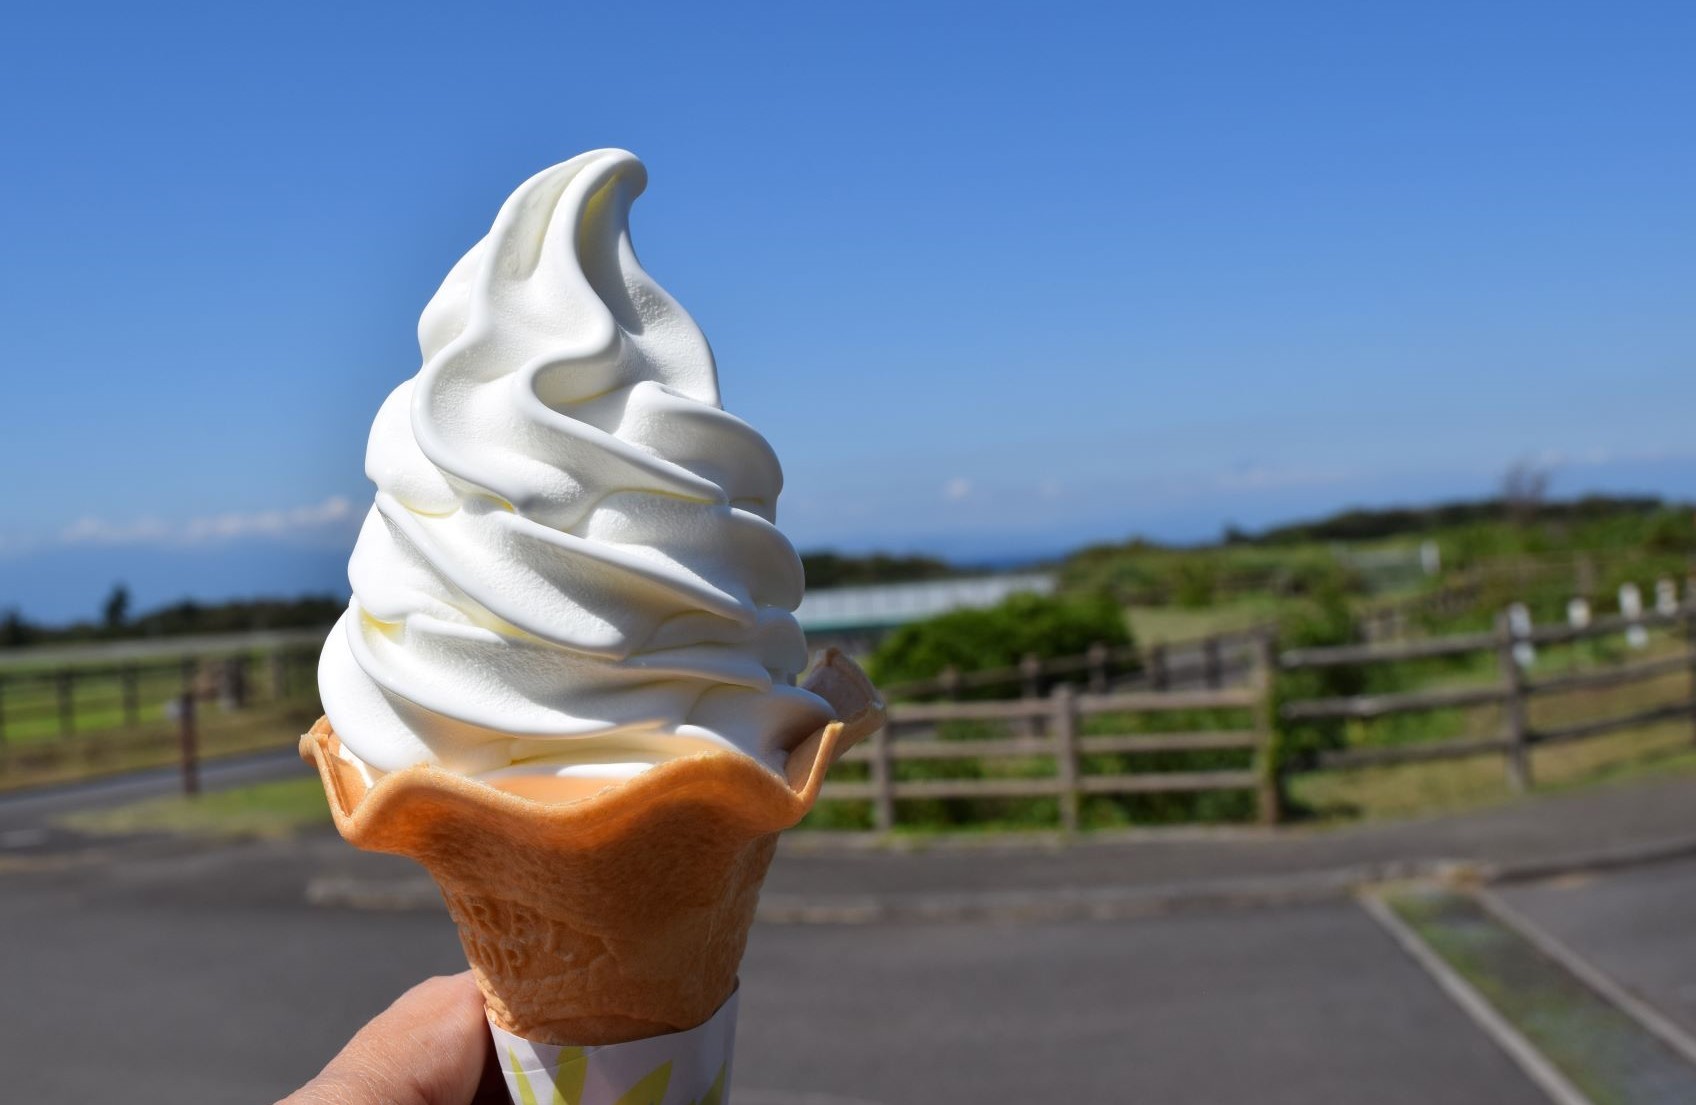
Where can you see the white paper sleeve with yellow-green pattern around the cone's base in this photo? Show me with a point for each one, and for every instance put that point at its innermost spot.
(681, 1069)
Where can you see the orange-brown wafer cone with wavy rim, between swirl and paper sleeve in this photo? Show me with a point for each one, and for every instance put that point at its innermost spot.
(615, 918)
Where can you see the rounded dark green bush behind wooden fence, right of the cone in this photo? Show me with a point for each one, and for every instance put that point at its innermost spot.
(1000, 636)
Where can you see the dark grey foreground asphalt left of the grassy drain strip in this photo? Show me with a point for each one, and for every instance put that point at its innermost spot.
(204, 975)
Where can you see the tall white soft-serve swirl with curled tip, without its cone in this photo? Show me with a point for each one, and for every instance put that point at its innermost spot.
(572, 564)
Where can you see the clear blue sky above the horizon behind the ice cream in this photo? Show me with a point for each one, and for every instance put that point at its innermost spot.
(993, 279)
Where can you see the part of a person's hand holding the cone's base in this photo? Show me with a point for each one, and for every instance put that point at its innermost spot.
(430, 1048)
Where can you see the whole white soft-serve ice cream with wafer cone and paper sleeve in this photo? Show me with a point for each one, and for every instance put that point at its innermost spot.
(566, 684)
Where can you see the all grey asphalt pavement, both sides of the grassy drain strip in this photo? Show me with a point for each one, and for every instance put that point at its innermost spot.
(196, 974)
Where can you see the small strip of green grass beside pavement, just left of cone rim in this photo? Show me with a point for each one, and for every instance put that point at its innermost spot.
(269, 811)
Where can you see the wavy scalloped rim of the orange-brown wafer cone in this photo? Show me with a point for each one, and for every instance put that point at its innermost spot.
(745, 789)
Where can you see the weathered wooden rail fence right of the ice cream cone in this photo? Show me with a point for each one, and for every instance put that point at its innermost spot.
(1052, 725)
